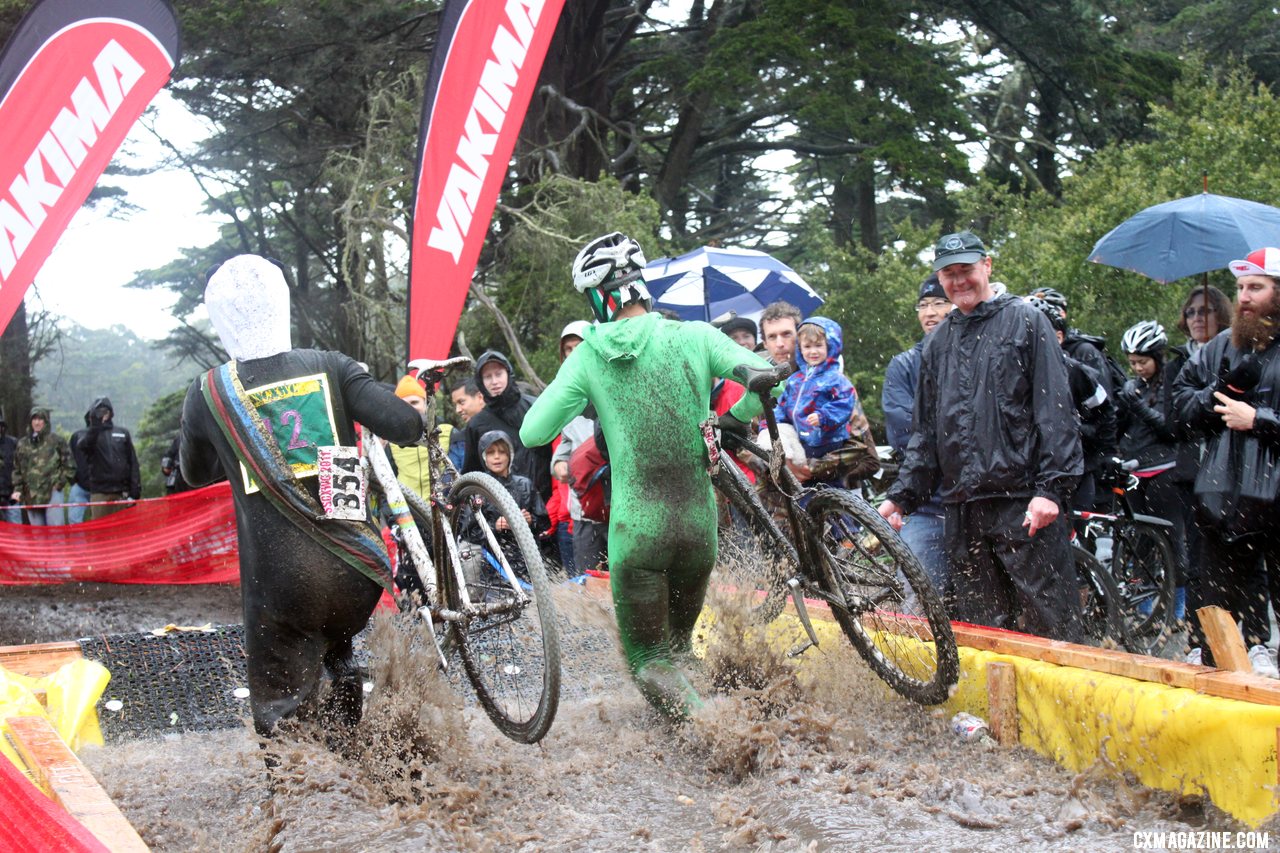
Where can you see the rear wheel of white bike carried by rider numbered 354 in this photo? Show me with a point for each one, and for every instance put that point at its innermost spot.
(511, 653)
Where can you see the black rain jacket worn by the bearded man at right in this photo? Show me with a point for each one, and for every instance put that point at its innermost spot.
(1240, 477)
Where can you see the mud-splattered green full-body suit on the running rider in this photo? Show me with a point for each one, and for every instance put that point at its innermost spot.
(651, 382)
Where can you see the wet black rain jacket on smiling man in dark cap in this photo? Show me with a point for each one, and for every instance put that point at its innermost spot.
(994, 413)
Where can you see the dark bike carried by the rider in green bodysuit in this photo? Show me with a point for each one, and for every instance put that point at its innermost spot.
(838, 550)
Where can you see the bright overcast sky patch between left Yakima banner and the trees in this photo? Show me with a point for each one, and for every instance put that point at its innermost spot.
(84, 279)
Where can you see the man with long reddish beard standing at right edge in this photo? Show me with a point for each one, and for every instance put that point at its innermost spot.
(1231, 391)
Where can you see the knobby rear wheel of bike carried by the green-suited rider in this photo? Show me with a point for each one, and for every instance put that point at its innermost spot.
(870, 577)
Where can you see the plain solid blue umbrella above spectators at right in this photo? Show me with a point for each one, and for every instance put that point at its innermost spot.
(1188, 236)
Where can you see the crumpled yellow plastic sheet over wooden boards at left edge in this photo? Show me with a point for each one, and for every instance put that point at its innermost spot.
(71, 697)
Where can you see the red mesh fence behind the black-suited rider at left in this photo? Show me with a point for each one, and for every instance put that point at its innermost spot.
(188, 539)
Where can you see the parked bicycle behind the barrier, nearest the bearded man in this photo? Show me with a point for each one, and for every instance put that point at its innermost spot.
(1139, 554)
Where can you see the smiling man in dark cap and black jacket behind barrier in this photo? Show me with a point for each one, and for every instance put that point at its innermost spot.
(995, 435)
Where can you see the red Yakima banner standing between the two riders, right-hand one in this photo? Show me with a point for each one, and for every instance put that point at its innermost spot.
(488, 56)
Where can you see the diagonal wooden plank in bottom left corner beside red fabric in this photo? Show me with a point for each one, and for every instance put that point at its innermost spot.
(60, 772)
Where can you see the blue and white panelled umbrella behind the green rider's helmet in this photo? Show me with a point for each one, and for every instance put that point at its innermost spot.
(708, 284)
